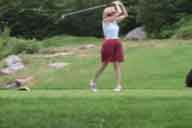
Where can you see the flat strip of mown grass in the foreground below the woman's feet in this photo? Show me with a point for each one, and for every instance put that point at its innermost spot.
(133, 108)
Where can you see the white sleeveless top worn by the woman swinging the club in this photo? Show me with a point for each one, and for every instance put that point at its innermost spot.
(111, 30)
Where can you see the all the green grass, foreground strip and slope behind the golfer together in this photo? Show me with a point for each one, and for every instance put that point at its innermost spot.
(154, 95)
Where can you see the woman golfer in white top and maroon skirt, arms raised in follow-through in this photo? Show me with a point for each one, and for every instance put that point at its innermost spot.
(111, 51)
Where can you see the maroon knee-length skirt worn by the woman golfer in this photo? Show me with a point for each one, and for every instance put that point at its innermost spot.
(112, 51)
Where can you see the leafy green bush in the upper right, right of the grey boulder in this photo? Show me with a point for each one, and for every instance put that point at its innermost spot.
(160, 17)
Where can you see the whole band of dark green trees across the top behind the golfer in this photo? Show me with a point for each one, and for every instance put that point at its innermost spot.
(41, 19)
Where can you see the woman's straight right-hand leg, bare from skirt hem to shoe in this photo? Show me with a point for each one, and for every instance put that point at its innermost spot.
(117, 68)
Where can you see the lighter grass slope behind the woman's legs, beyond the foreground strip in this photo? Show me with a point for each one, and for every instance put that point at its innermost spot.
(149, 65)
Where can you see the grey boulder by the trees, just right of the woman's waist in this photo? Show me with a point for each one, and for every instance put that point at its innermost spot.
(137, 34)
